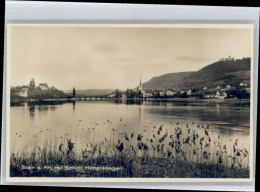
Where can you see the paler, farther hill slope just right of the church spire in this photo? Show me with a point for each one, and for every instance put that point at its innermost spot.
(170, 80)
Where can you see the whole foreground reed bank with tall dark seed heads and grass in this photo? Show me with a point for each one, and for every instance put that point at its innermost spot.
(188, 151)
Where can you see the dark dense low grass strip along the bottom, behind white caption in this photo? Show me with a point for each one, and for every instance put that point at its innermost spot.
(68, 166)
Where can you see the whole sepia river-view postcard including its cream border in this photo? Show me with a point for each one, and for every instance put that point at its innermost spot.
(118, 102)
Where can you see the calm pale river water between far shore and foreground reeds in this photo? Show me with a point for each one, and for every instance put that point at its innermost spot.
(33, 123)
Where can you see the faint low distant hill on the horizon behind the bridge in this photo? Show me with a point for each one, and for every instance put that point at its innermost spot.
(92, 92)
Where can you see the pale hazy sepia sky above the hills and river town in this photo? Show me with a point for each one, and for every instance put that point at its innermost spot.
(116, 57)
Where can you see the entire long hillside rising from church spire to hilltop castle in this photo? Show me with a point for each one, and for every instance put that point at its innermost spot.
(218, 73)
